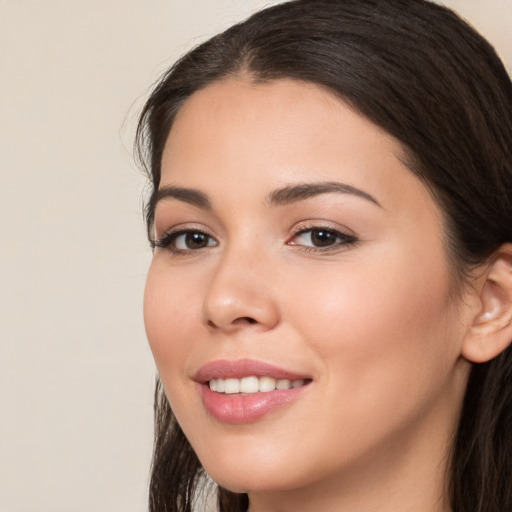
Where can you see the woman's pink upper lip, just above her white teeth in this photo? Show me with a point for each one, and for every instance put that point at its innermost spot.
(237, 369)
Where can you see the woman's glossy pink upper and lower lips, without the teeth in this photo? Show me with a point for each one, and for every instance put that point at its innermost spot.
(240, 408)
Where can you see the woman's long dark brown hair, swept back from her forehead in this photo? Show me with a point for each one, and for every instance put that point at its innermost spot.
(418, 71)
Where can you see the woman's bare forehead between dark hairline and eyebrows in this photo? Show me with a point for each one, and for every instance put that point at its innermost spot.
(267, 135)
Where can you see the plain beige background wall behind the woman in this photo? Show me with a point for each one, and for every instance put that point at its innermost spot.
(76, 375)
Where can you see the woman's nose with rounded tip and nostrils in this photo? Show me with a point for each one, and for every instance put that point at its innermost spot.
(240, 295)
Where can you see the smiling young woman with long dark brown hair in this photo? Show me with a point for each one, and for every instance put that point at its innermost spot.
(330, 299)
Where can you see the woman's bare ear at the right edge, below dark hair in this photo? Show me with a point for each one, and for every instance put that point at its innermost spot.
(491, 330)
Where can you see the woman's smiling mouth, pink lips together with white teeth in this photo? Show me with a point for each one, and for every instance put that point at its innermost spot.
(244, 391)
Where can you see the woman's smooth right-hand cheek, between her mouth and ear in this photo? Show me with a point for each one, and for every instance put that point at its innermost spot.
(382, 327)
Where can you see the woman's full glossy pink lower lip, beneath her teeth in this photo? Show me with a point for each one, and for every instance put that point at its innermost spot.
(238, 409)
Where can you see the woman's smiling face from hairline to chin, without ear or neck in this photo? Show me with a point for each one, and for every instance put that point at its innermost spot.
(298, 257)
